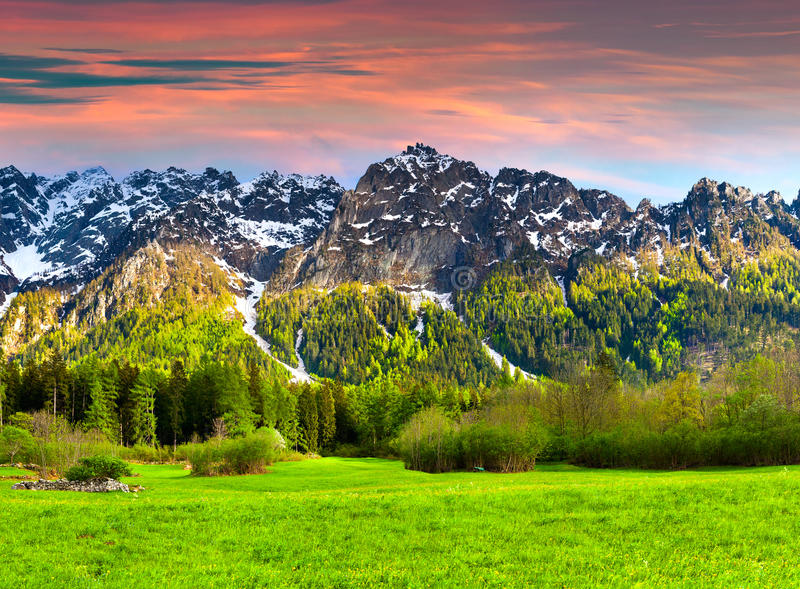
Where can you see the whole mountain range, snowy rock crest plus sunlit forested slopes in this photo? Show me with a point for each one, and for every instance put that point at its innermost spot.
(442, 262)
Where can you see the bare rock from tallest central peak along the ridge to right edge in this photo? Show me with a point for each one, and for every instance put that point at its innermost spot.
(414, 218)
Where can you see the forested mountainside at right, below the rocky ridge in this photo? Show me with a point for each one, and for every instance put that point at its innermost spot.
(651, 323)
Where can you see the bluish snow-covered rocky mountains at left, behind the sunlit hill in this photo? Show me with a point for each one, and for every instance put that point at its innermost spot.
(65, 230)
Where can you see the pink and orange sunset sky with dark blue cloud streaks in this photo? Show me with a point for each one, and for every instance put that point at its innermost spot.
(624, 95)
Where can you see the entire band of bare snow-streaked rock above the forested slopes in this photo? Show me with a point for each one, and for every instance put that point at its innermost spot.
(79, 223)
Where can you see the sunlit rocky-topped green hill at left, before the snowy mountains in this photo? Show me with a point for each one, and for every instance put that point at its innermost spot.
(181, 310)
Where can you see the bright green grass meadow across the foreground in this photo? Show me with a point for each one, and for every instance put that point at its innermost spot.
(362, 522)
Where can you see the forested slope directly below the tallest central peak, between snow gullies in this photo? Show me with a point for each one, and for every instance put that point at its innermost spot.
(355, 334)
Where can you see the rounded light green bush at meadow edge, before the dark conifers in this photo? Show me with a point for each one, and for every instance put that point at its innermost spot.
(250, 454)
